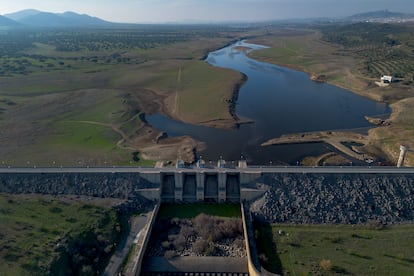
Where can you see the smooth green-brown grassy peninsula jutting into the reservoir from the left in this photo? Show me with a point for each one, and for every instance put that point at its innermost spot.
(202, 90)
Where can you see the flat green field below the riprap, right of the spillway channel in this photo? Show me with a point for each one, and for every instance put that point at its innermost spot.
(333, 249)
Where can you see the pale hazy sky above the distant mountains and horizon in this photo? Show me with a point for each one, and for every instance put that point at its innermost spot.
(162, 11)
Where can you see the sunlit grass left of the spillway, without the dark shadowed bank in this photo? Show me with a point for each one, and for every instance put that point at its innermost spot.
(32, 228)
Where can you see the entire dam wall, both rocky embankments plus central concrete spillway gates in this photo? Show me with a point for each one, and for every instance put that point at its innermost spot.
(294, 196)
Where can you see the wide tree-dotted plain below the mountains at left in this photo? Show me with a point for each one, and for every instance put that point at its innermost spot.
(33, 51)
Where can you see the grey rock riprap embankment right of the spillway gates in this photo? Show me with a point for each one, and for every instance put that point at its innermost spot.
(336, 198)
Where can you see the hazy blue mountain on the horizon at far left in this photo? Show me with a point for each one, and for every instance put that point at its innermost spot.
(34, 18)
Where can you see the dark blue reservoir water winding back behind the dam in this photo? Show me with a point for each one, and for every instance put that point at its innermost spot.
(279, 101)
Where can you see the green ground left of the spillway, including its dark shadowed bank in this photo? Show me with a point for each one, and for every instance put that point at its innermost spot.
(42, 234)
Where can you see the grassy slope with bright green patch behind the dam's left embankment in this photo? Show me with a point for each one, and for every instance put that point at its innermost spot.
(73, 126)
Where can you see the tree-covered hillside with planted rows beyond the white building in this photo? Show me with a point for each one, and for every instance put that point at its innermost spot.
(387, 49)
